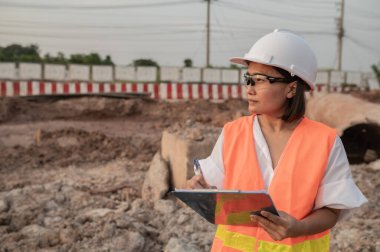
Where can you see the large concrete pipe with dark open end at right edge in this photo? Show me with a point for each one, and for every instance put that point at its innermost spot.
(357, 122)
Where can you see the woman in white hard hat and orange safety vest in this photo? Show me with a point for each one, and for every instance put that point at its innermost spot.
(301, 163)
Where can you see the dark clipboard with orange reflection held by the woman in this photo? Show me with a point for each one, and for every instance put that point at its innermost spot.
(227, 207)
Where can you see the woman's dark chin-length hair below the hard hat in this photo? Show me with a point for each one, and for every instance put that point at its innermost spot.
(295, 106)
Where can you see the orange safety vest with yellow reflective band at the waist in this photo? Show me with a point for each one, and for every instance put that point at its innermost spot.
(293, 188)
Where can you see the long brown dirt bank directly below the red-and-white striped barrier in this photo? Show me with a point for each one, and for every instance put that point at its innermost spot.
(93, 108)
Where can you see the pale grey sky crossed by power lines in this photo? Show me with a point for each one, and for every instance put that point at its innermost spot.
(169, 31)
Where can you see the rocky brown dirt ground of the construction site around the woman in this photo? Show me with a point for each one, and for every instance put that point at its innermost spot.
(71, 172)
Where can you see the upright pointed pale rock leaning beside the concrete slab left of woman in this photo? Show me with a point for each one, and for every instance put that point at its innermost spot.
(156, 183)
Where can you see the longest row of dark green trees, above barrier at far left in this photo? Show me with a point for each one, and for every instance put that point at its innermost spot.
(30, 53)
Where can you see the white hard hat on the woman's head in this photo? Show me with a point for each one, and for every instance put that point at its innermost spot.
(286, 50)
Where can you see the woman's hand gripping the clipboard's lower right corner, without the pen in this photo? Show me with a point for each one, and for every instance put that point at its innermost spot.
(278, 227)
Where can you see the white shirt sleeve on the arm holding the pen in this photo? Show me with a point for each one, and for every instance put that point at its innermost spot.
(212, 166)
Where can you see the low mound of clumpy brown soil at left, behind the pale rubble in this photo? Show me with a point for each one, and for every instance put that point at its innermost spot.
(70, 146)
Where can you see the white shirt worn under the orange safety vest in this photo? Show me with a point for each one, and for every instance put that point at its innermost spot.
(337, 189)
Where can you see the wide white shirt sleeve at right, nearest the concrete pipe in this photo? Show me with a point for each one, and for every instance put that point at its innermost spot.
(338, 189)
